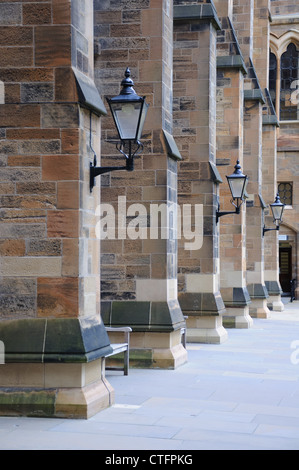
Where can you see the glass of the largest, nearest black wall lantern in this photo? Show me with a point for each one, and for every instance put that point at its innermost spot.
(126, 116)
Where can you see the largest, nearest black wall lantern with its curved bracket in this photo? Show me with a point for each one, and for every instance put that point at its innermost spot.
(129, 112)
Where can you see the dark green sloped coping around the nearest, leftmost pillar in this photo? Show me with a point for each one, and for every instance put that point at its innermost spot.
(70, 340)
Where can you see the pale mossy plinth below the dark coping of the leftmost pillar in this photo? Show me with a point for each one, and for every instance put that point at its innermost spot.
(54, 390)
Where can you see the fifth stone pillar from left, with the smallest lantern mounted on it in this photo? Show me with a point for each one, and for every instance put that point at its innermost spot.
(243, 14)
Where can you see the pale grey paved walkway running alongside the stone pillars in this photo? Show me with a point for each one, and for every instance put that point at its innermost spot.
(242, 394)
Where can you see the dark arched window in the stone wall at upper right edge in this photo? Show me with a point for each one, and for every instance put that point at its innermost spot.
(284, 83)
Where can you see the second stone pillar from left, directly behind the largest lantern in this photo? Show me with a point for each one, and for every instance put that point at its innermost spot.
(139, 271)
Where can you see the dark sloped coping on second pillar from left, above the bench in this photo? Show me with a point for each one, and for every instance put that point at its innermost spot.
(144, 316)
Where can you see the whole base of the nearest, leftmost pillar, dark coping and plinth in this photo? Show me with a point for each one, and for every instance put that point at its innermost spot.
(54, 367)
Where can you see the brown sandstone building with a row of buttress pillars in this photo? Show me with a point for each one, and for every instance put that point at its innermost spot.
(221, 80)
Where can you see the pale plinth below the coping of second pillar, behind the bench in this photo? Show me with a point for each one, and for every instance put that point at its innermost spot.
(153, 350)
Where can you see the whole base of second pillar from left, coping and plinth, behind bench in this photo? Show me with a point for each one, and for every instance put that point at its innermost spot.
(155, 341)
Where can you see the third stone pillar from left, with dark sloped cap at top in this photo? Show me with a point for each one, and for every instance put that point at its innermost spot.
(198, 178)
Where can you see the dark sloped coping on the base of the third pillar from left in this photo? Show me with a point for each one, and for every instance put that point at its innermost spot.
(202, 303)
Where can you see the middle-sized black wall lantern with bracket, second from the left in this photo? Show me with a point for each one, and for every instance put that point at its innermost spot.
(237, 183)
